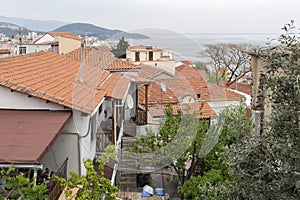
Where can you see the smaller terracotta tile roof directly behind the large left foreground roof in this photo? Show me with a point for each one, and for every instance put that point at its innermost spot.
(102, 58)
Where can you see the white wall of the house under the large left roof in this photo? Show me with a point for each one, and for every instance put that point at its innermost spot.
(80, 127)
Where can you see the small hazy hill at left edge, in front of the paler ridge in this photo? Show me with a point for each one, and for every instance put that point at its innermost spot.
(11, 29)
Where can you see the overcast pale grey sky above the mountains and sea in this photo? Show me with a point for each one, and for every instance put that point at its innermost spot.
(183, 16)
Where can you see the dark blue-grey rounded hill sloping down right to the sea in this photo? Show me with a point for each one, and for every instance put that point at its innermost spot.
(83, 29)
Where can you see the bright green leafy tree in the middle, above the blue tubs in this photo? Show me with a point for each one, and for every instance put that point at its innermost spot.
(173, 137)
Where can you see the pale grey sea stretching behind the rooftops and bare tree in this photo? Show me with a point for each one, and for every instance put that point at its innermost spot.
(188, 46)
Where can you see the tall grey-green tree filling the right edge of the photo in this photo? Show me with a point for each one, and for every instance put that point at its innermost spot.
(267, 166)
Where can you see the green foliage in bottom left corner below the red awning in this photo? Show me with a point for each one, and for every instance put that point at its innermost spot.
(20, 187)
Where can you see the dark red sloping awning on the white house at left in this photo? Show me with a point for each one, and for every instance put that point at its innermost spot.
(26, 136)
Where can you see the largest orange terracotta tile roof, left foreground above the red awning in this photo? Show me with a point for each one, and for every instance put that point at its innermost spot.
(54, 78)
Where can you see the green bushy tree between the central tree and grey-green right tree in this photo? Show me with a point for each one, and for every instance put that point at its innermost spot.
(233, 124)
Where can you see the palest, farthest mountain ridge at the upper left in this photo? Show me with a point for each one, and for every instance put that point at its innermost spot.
(32, 24)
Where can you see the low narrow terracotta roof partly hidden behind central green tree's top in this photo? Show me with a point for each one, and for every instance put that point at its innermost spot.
(206, 111)
